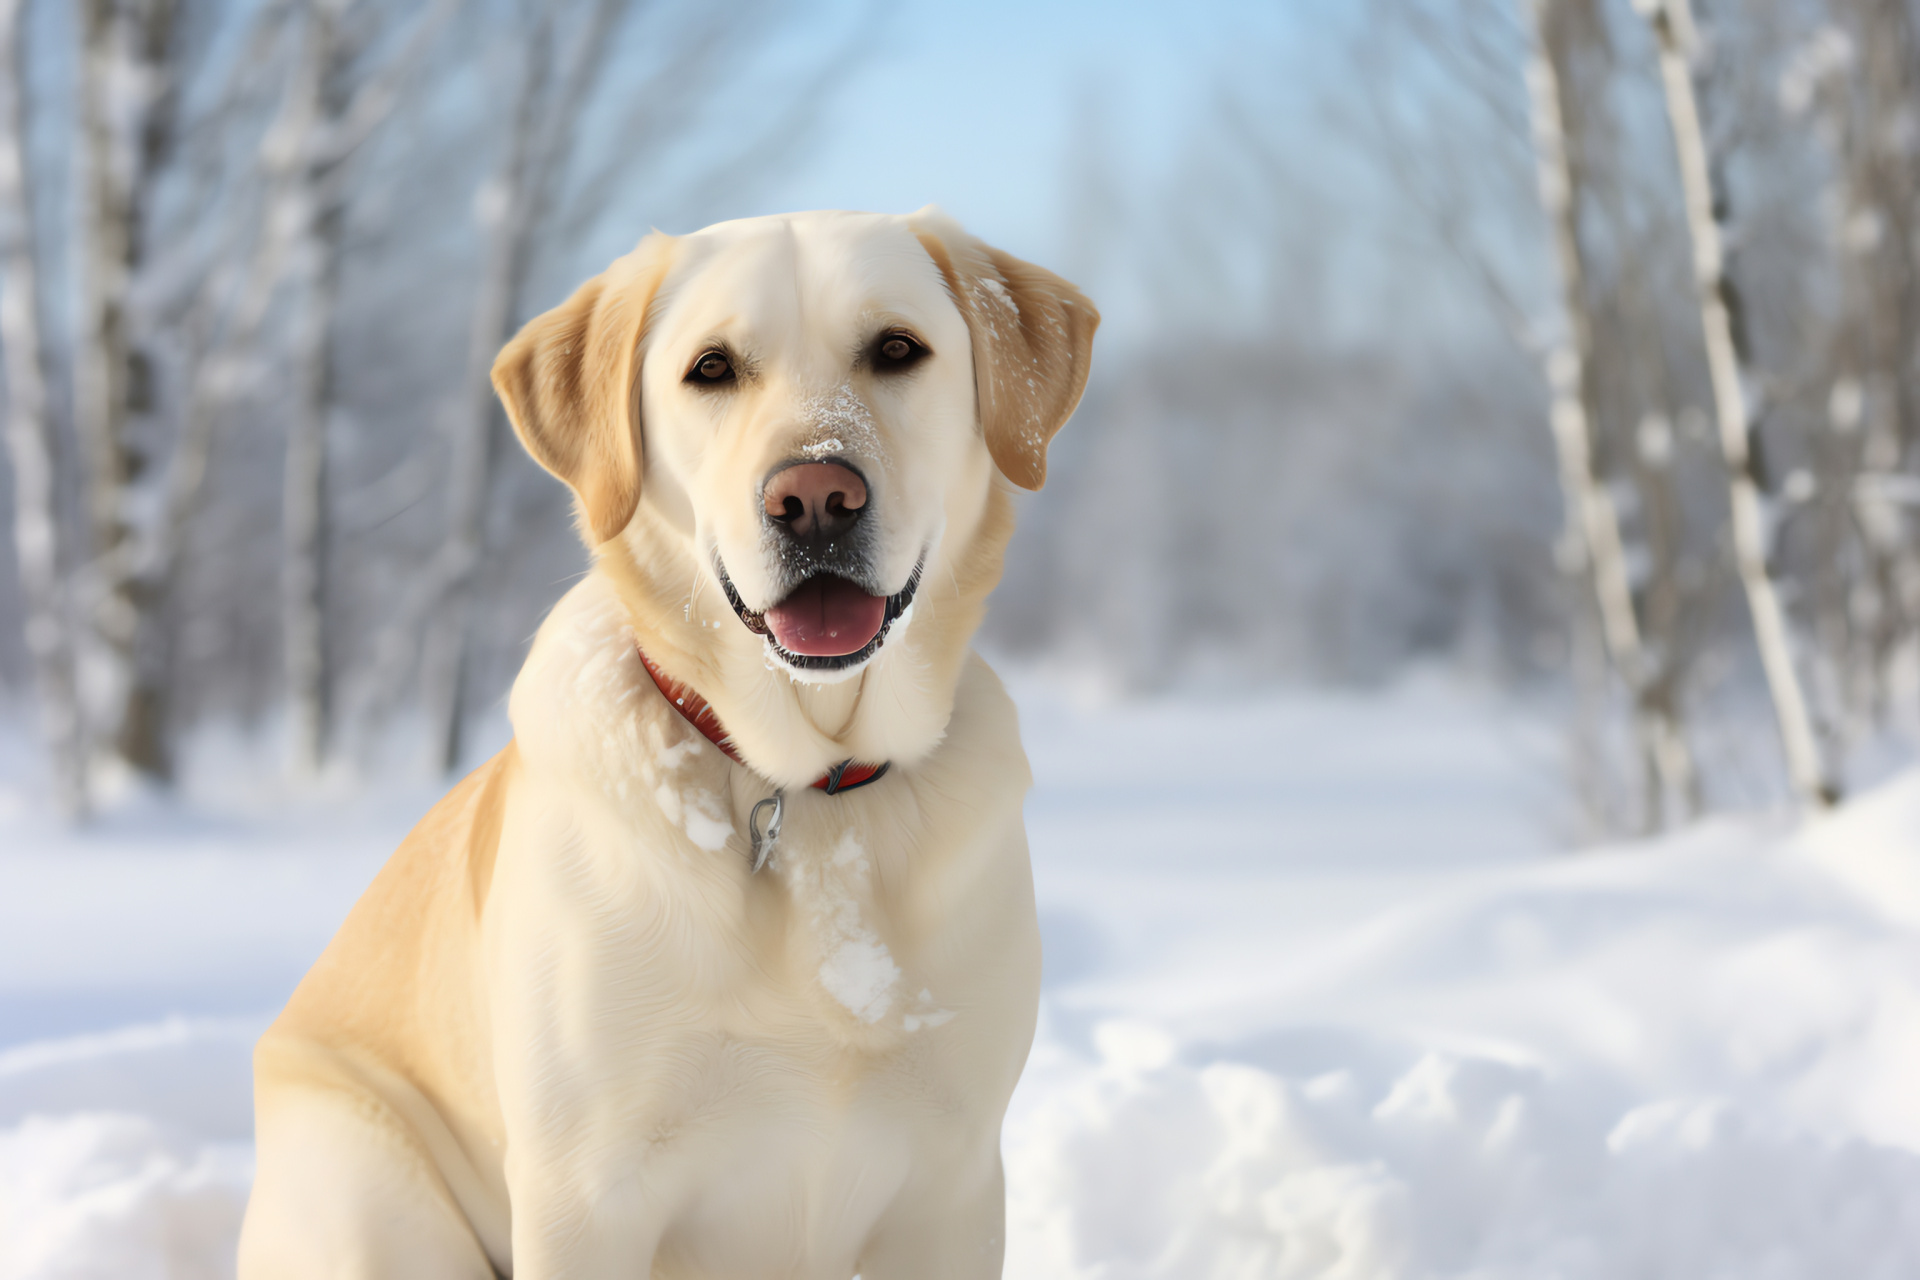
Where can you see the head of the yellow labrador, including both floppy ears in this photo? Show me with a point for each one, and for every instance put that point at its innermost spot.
(815, 402)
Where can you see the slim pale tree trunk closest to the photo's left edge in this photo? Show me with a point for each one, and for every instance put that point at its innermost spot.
(30, 433)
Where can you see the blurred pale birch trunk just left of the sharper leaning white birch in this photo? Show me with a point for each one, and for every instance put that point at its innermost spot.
(1593, 521)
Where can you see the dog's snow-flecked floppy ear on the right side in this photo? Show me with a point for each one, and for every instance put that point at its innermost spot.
(1032, 343)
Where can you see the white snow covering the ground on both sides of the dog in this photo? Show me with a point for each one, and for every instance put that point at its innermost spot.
(1322, 1001)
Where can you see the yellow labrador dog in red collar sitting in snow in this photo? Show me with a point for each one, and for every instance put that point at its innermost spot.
(727, 966)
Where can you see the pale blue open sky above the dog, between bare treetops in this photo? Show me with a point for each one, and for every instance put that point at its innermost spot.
(972, 105)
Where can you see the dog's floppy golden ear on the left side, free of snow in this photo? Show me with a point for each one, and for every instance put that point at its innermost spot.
(571, 387)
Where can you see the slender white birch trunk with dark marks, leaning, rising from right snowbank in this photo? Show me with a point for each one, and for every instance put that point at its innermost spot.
(1727, 364)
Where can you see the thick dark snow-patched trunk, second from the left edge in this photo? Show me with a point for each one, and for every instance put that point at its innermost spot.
(124, 95)
